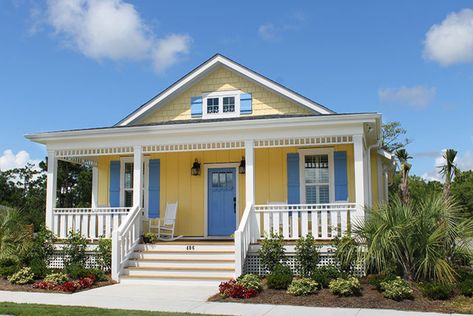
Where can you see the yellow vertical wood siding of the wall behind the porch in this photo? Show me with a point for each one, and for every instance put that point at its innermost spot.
(177, 184)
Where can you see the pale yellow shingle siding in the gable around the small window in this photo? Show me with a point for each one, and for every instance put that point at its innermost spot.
(264, 101)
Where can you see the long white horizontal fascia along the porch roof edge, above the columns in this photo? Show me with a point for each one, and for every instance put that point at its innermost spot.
(212, 131)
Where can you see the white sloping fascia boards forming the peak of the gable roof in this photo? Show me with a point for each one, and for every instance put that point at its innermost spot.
(210, 64)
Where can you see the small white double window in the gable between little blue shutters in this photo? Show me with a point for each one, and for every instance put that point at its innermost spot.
(221, 104)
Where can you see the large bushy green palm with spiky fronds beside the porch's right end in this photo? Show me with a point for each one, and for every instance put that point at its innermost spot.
(421, 239)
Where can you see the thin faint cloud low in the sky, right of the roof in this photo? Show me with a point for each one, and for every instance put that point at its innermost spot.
(418, 96)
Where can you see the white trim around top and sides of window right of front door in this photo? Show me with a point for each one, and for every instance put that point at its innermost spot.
(317, 151)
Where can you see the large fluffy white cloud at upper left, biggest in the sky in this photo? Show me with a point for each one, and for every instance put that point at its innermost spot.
(112, 29)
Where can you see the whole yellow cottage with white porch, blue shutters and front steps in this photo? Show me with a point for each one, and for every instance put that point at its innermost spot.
(240, 155)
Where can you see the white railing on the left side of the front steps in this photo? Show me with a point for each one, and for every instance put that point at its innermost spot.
(125, 239)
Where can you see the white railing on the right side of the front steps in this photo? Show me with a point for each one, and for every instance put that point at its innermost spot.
(244, 235)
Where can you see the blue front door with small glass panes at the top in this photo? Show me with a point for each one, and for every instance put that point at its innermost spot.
(221, 201)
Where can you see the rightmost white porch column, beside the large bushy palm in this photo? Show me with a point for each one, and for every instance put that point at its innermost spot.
(359, 177)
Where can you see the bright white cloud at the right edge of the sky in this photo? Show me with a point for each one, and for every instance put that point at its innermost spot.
(451, 41)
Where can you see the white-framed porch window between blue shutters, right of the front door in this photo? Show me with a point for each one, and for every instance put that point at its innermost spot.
(317, 176)
